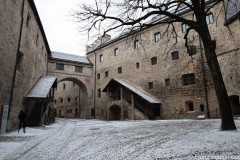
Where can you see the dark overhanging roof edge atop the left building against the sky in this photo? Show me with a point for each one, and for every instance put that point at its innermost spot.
(35, 12)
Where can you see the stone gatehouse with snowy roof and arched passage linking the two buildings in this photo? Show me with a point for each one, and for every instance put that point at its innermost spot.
(73, 95)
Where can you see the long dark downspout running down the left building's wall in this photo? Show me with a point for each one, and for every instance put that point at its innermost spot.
(15, 66)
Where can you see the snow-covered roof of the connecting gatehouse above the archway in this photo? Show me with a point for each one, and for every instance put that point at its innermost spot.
(70, 57)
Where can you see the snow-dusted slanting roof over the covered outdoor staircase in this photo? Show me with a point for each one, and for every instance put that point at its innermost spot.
(131, 88)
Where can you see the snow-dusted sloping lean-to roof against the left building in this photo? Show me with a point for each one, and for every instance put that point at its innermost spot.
(42, 87)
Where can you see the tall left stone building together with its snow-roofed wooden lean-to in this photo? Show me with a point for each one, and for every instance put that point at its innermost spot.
(24, 52)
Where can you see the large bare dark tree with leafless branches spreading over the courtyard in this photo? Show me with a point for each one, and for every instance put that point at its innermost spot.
(108, 15)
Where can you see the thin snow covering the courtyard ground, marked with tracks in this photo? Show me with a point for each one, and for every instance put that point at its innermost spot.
(71, 139)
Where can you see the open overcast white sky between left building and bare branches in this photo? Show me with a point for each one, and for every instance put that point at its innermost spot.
(61, 31)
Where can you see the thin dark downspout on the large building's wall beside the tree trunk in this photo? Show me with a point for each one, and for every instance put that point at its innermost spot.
(204, 78)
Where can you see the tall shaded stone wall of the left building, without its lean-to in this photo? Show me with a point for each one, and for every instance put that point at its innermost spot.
(31, 61)
